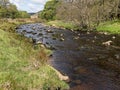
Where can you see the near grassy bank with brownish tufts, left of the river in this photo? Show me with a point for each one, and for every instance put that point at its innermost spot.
(23, 67)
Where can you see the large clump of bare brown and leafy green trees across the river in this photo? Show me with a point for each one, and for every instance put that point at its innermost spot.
(85, 13)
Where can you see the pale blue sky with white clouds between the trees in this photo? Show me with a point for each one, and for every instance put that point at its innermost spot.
(29, 5)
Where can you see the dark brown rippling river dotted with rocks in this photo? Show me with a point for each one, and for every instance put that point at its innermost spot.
(84, 56)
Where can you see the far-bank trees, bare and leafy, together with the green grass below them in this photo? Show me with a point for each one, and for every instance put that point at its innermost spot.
(102, 15)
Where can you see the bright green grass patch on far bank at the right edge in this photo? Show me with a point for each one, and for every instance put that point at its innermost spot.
(112, 27)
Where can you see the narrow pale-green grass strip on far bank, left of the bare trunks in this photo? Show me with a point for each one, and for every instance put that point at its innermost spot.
(61, 24)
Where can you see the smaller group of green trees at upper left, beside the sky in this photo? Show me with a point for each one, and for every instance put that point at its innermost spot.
(9, 10)
